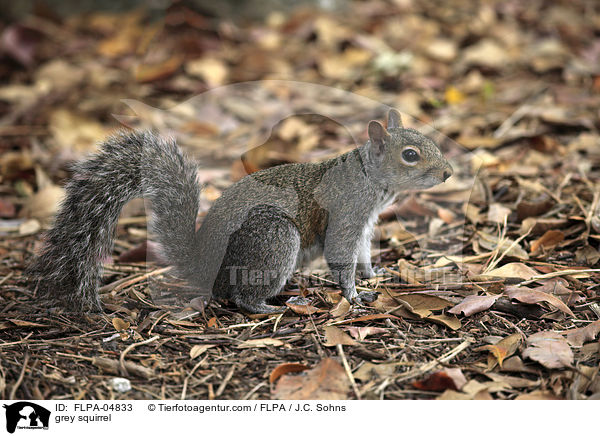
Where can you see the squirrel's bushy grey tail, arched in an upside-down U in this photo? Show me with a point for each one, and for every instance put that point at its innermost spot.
(128, 165)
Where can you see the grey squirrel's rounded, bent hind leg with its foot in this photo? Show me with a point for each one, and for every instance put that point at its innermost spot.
(260, 258)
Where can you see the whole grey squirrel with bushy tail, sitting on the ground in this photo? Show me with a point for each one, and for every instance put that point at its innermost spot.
(254, 236)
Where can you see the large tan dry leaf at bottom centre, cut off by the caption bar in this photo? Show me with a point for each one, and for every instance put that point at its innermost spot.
(326, 381)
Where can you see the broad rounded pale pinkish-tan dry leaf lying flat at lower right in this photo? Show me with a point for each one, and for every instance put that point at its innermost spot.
(550, 349)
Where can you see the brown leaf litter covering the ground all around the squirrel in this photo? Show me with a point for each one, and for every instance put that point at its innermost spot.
(492, 287)
